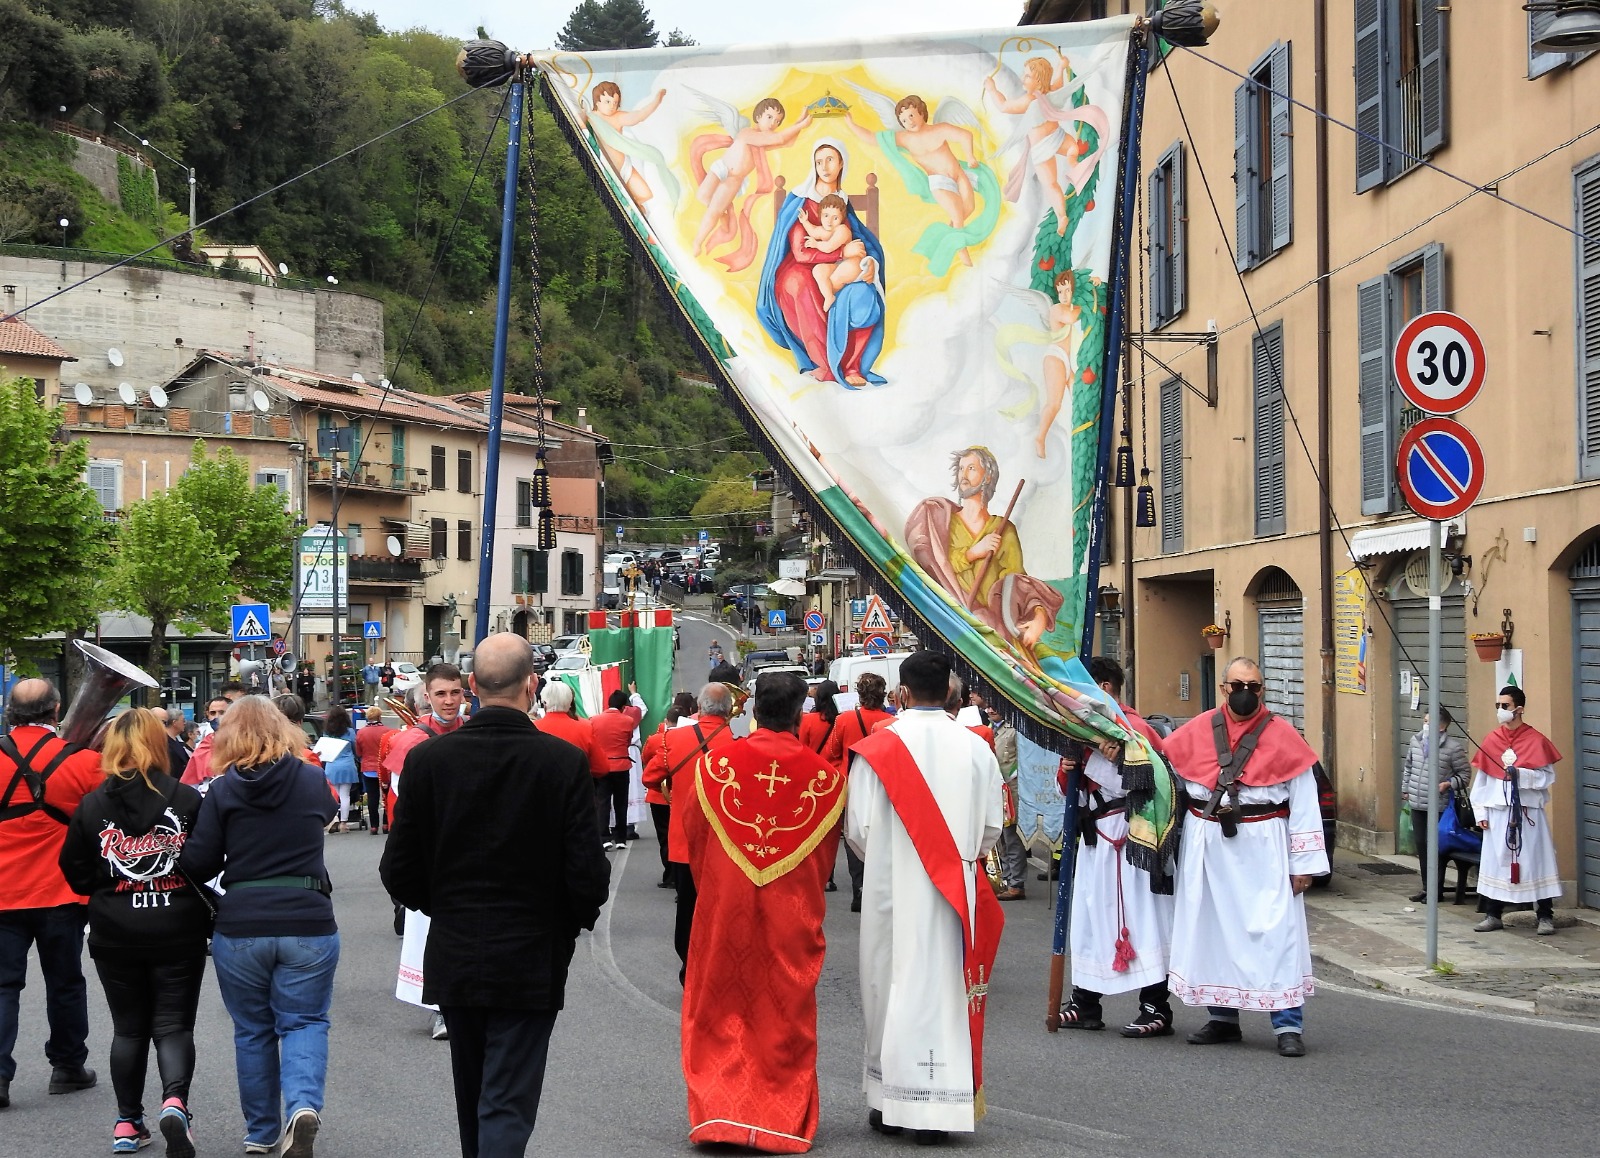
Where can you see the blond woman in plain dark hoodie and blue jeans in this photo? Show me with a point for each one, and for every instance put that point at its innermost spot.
(276, 944)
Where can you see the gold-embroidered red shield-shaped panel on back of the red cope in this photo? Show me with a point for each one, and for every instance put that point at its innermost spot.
(770, 802)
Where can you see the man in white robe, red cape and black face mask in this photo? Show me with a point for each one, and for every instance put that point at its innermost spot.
(1252, 845)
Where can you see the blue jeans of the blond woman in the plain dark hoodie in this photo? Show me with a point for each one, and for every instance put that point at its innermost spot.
(278, 991)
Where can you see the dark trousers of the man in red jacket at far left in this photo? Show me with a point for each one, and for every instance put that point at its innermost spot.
(60, 938)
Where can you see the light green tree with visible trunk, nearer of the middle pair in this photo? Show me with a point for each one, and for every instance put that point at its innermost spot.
(172, 572)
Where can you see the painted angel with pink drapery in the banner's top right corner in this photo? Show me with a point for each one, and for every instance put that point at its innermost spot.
(1050, 132)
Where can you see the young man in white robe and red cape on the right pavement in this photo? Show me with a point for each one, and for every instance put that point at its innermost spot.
(1516, 770)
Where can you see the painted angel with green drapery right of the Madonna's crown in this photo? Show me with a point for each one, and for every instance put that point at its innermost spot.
(929, 158)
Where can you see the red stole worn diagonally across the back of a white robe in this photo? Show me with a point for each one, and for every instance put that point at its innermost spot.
(919, 812)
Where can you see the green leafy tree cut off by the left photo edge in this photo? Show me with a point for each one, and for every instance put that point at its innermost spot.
(54, 537)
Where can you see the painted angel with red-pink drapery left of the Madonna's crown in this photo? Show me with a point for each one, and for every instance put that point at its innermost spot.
(745, 143)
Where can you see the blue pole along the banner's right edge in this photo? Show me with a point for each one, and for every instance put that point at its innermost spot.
(1119, 289)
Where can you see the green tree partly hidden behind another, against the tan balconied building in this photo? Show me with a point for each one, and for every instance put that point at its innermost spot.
(250, 524)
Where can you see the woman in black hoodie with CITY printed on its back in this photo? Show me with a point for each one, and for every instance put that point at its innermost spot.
(148, 924)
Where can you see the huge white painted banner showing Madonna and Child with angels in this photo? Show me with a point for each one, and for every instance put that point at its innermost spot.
(900, 255)
